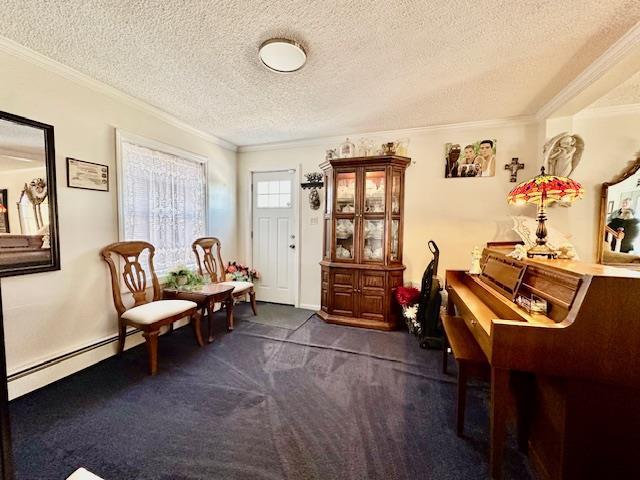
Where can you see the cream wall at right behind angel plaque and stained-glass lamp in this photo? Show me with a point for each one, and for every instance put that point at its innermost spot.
(611, 141)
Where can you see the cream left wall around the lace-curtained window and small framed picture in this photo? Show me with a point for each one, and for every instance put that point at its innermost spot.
(49, 314)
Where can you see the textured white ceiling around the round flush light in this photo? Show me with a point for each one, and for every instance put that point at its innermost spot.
(372, 65)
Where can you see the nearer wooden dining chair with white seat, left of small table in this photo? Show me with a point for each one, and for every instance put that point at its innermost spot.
(146, 315)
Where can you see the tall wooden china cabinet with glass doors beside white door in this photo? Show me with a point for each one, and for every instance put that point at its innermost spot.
(363, 224)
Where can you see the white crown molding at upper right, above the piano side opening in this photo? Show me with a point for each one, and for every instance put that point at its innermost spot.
(613, 55)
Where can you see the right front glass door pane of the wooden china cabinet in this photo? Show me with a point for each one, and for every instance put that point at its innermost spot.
(373, 225)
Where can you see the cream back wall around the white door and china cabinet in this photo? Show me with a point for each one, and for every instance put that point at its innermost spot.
(457, 213)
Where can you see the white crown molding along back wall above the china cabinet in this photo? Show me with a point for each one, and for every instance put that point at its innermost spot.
(406, 132)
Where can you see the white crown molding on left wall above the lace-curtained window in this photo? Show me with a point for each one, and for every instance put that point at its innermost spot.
(24, 53)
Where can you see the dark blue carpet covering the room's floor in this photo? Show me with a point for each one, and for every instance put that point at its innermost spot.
(321, 402)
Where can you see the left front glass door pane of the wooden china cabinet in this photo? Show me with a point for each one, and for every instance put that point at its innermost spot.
(345, 215)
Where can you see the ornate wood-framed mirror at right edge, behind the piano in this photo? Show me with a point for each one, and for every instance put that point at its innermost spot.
(619, 234)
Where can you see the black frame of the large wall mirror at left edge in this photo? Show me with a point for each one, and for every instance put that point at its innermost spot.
(53, 262)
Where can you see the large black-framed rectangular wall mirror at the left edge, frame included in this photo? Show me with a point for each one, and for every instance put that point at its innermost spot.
(28, 215)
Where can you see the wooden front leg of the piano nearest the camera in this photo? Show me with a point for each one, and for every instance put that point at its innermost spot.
(499, 406)
